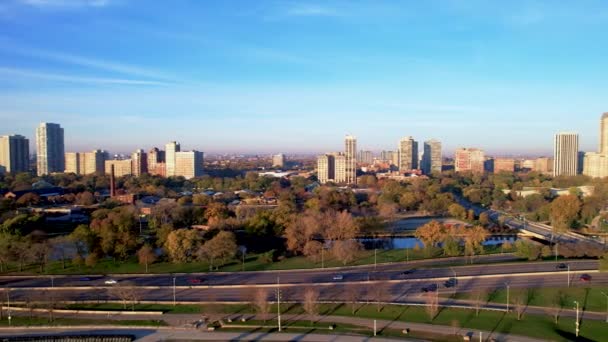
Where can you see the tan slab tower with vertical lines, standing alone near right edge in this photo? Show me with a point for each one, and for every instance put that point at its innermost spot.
(566, 154)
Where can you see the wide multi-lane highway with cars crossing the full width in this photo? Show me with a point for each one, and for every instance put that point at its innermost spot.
(239, 286)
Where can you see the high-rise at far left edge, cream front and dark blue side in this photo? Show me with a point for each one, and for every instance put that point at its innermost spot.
(14, 154)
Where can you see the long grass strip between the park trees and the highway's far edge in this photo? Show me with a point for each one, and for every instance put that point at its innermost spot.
(252, 263)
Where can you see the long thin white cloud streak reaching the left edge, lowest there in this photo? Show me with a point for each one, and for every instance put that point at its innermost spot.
(24, 73)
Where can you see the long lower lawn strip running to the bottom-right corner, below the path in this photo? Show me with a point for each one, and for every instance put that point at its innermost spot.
(538, 326)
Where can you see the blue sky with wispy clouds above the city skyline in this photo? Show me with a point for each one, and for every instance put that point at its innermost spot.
(296, 76)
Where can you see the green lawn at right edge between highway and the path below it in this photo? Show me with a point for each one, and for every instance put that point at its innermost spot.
(590, 298)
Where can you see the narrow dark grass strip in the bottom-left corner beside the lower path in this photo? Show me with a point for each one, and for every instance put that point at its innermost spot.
(44, 321)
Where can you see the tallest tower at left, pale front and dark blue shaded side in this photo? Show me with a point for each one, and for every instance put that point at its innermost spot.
(50, 149)
